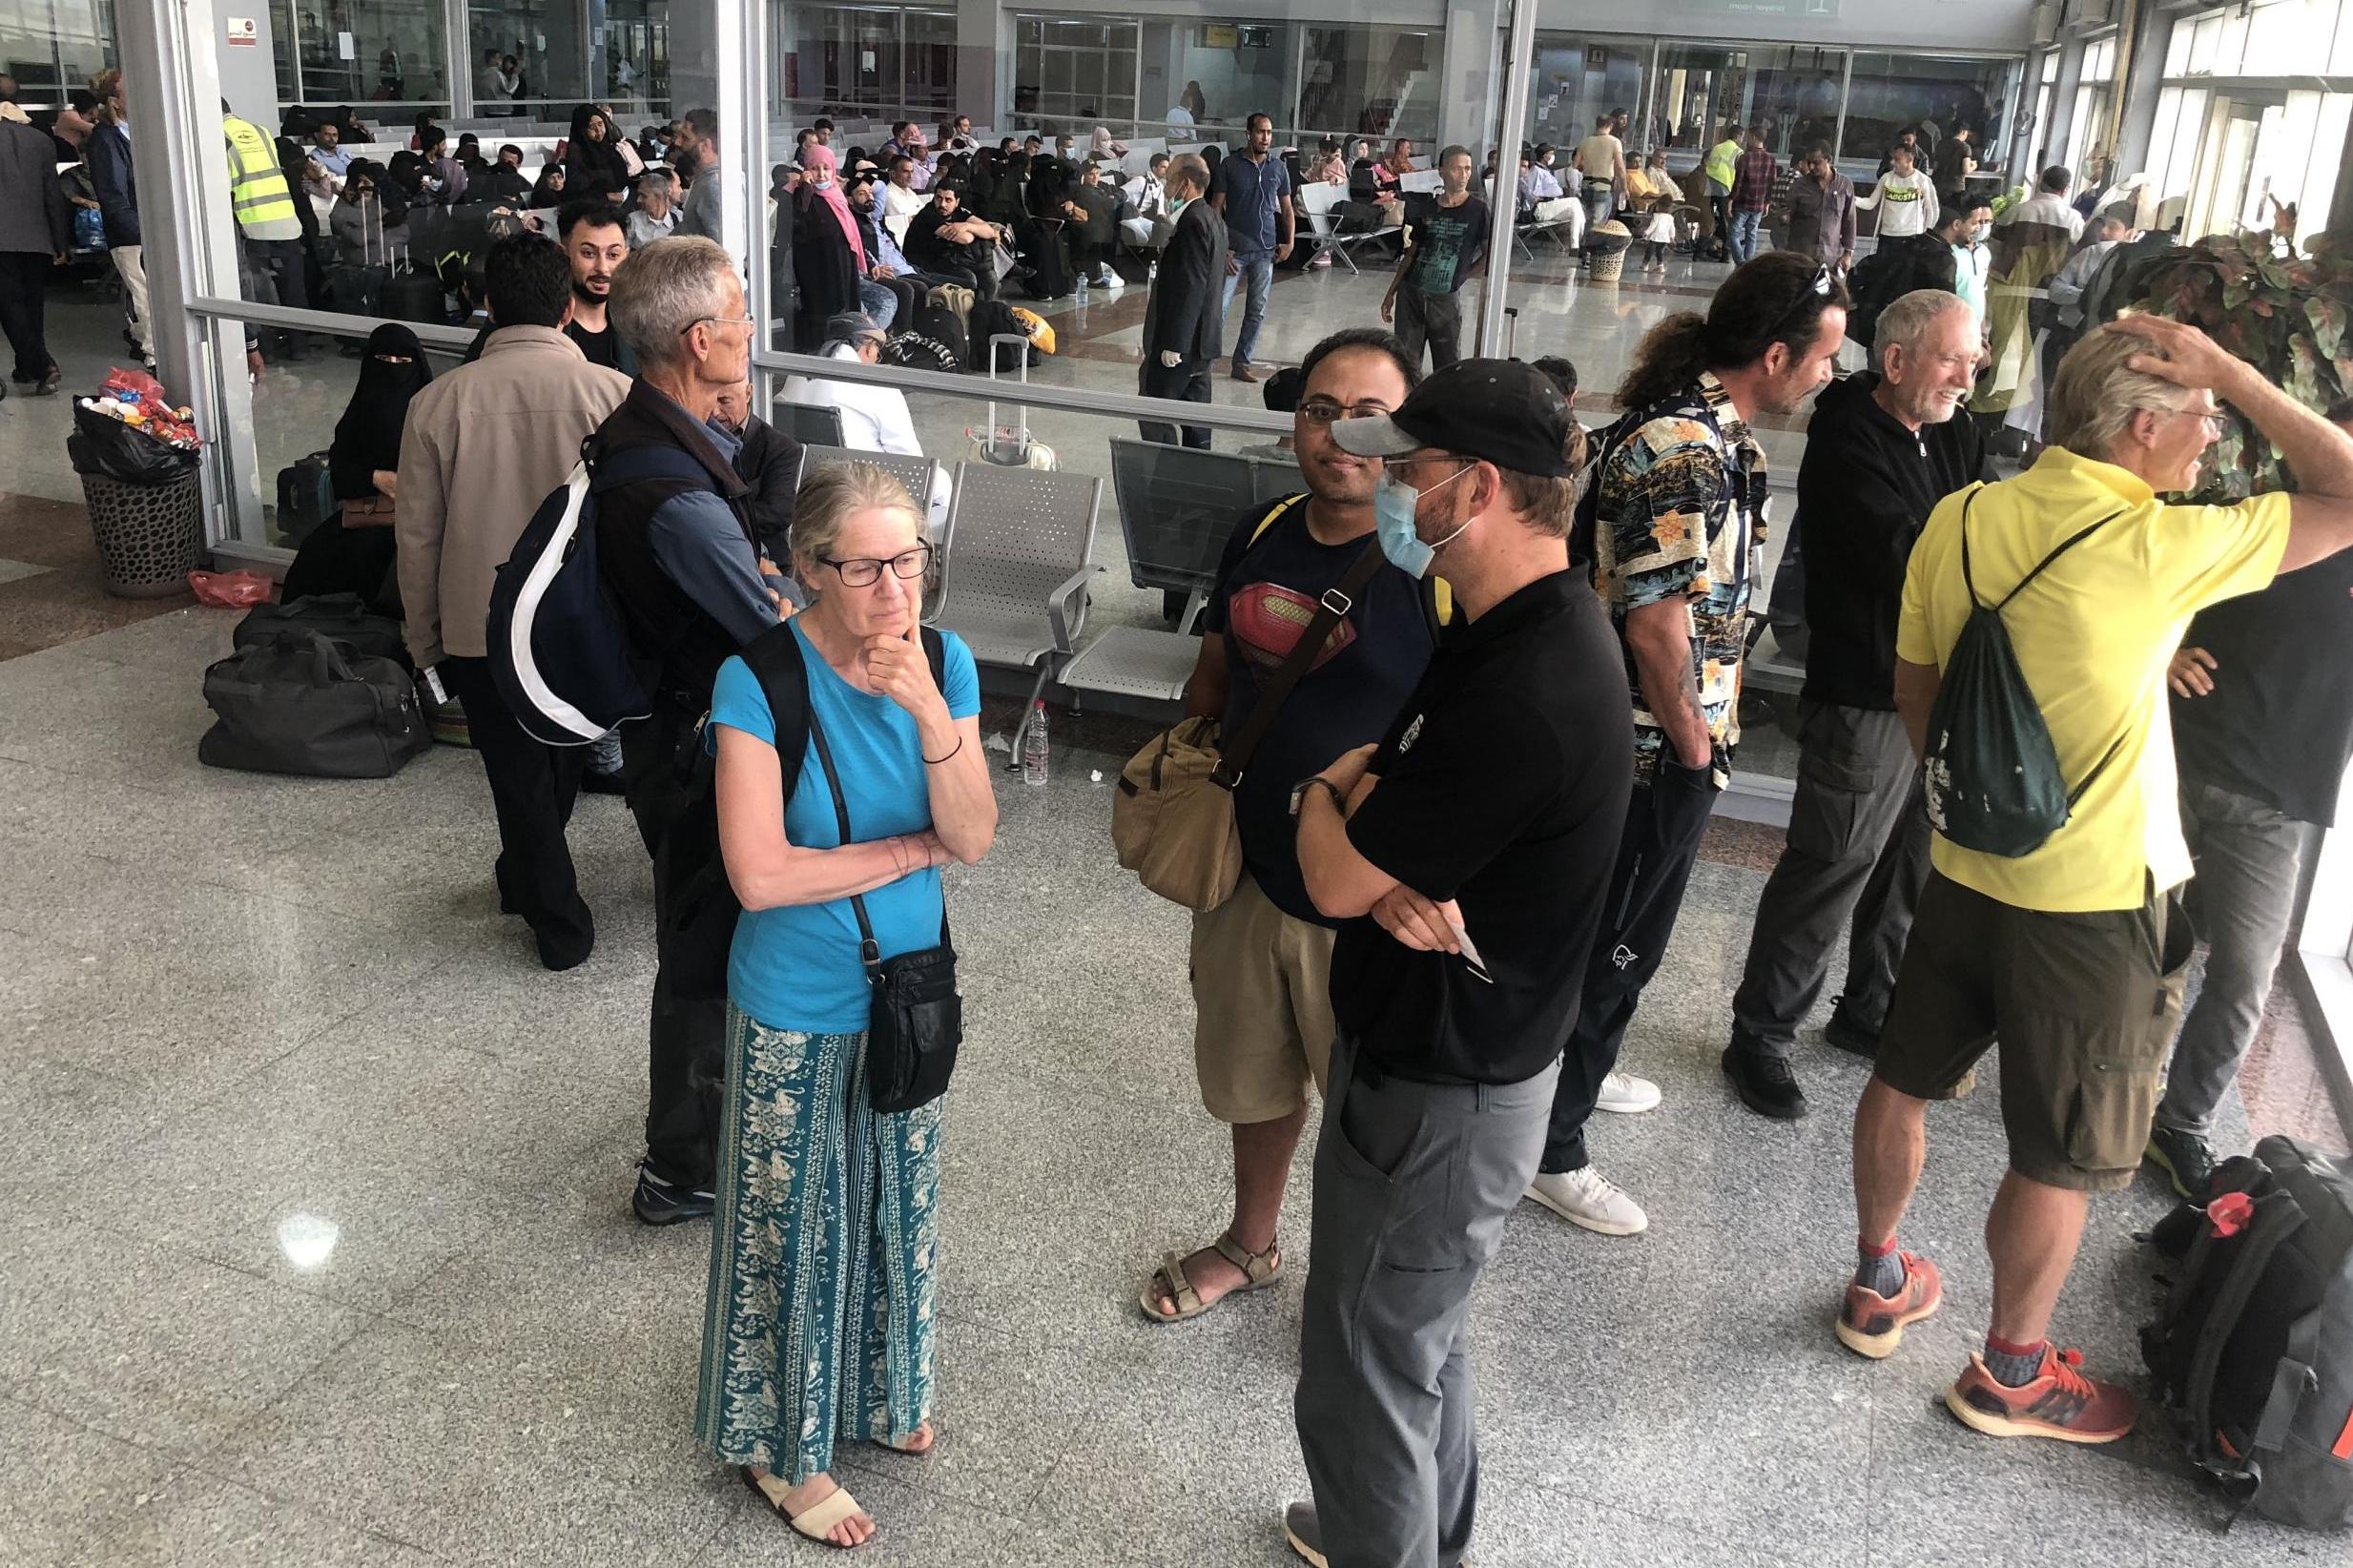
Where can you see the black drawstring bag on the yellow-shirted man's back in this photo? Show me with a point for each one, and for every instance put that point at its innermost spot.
(1994, 778)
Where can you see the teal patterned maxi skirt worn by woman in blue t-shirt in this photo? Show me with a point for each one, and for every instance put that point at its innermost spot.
(822, 1258)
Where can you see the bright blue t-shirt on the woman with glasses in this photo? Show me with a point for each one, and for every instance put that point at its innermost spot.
(799, 966)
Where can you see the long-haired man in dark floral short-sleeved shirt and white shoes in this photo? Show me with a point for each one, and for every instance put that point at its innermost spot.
(1679, 533)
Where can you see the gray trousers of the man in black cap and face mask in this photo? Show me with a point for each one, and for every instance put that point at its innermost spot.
(1413, 1183)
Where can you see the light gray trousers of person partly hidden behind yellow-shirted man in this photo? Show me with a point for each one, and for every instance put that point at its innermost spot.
(2246, 893)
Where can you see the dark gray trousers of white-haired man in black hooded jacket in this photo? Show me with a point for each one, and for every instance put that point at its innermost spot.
(1855, 858)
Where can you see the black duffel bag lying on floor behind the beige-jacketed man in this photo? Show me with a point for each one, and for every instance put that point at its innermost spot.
(314, 707)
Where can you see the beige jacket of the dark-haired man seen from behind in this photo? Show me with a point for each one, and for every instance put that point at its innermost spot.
(481, 451)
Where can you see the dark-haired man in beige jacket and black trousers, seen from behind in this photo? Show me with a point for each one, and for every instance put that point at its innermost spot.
(481, 451)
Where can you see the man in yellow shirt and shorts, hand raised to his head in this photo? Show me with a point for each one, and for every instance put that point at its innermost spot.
(2072, 955)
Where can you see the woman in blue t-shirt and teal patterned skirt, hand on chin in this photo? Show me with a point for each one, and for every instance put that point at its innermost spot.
(827, 1225)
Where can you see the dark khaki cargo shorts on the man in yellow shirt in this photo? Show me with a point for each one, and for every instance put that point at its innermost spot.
(2084, 1009)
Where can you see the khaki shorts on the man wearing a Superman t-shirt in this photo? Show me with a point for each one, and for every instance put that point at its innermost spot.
(1262, 1009)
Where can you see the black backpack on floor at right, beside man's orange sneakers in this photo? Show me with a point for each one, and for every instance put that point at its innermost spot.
(2255, 1346)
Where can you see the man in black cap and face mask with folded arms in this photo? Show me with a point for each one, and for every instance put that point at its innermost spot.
(1467, 856)
